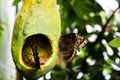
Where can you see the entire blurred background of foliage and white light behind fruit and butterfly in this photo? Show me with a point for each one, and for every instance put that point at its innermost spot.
(97, 20)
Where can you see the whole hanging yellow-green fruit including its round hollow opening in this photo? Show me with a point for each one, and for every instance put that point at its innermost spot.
(37, 30)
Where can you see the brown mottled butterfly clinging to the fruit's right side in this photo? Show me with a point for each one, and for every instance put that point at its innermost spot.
(69, 44)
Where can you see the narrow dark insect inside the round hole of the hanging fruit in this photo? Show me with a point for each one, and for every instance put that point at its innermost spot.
(35, 53)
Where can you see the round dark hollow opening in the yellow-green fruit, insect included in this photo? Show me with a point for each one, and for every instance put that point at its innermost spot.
(36, 50)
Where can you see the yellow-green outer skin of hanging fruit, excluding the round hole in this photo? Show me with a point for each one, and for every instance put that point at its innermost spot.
(36, 17)
